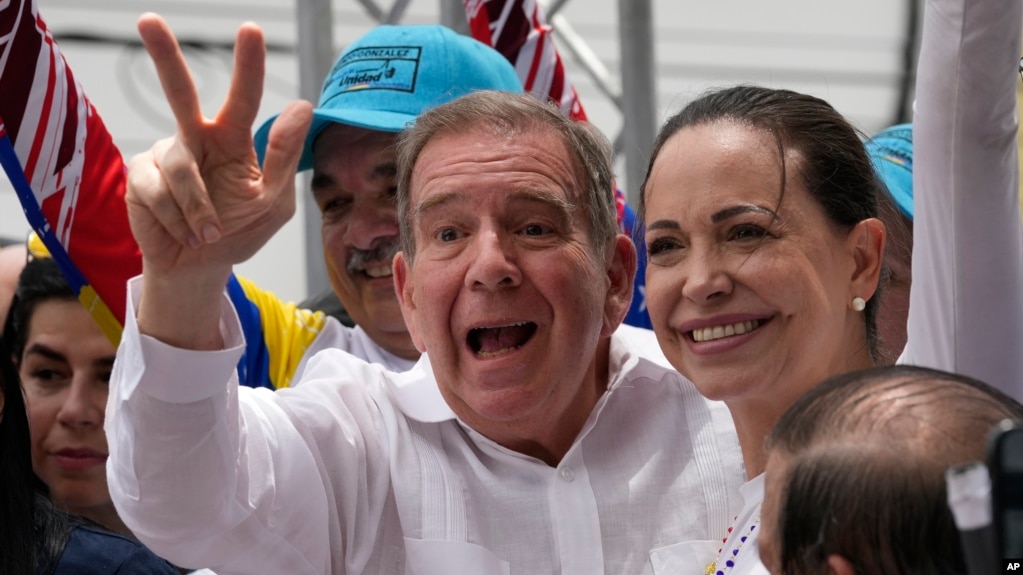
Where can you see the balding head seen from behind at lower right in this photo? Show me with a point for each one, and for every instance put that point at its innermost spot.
(856, 478)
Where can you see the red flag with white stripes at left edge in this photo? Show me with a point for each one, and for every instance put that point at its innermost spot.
(53, 147)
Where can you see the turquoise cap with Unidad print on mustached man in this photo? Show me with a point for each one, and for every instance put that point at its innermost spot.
(384, 80)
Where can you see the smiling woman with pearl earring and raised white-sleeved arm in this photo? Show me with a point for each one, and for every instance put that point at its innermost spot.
(767, 249)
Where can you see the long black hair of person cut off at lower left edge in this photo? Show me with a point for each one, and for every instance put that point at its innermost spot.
(33, 533)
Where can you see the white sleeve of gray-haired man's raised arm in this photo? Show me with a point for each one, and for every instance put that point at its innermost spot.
(208, 474)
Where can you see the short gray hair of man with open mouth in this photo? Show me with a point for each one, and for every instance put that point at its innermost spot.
(508, 114)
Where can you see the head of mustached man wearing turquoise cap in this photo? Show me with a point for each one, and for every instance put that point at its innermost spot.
(378, 86)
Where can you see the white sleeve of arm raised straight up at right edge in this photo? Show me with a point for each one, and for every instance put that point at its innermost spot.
(966, 312)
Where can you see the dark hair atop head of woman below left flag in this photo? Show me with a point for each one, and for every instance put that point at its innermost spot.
(41, 281)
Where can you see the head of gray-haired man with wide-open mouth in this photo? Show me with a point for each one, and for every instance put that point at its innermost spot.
(512, 276)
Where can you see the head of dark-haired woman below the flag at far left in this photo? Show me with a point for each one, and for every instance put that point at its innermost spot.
(65, 364)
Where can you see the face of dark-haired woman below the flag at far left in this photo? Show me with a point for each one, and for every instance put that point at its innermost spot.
(66, 370)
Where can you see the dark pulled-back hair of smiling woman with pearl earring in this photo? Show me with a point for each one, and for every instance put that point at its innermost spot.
(835, 168)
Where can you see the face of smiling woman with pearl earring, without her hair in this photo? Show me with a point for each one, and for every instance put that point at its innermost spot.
(749, 289)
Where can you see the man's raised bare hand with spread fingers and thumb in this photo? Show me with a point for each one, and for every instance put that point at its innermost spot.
(199, 202)
